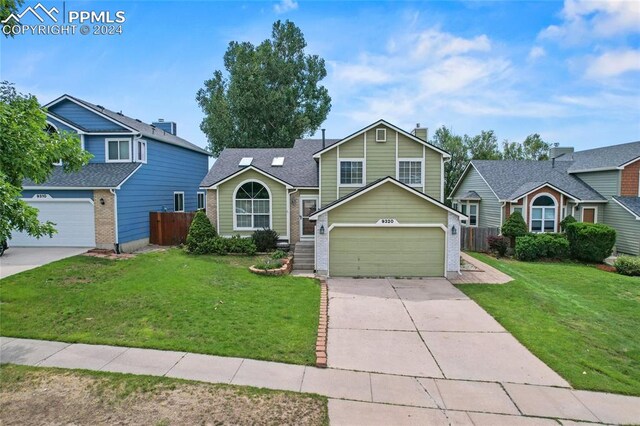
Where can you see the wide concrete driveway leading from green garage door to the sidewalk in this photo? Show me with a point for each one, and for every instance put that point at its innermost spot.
(424, 328)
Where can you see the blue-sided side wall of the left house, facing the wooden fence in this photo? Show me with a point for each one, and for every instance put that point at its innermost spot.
(169, 168)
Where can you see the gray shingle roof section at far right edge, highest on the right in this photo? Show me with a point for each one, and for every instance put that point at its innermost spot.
(605, 157)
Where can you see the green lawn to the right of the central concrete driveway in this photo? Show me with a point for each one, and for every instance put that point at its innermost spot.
(582, 322)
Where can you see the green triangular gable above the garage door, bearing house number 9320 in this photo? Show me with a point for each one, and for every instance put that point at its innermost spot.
(388, 201)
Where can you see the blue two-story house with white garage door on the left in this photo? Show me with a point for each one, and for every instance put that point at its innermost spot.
(136, 168)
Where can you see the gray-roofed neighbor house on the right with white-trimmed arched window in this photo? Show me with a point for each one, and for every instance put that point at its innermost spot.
(598, 185)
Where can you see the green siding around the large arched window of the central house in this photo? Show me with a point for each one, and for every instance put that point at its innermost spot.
(278, 203)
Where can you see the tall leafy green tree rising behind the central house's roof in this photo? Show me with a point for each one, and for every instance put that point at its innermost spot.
(270, 95)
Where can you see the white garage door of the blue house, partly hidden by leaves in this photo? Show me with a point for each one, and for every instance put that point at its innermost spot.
(74, 219)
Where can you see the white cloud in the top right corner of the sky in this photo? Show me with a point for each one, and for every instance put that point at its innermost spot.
(584, 20)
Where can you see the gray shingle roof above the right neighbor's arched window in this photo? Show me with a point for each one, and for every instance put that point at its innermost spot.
(510, 179)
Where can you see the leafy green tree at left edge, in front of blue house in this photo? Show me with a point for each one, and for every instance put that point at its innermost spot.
(28, 151)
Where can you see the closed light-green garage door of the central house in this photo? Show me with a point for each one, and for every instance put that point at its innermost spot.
(375, 252)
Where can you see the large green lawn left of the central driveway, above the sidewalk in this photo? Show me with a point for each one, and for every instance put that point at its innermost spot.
(165, 300)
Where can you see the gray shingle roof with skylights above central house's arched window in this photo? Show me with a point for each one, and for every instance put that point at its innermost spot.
(299, 168)
